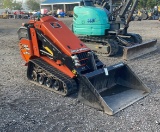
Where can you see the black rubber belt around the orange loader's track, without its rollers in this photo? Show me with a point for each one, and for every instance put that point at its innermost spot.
(69, 82)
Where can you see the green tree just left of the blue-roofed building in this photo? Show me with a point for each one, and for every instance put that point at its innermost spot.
(33, 4)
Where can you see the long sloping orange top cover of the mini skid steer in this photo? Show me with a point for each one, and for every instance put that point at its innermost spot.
(60, 35)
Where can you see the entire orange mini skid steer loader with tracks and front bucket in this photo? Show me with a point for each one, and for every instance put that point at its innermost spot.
(58, 61)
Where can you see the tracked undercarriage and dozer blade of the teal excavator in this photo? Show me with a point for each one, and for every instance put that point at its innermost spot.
(125, 45)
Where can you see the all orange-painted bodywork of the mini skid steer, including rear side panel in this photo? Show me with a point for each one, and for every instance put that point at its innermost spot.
(59, 34)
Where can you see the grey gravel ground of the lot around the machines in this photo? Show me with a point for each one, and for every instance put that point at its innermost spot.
(27, 107)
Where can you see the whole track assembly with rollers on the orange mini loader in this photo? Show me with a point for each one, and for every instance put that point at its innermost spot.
(43, 74)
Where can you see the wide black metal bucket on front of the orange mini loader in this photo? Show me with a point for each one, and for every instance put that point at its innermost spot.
(111, 89)
